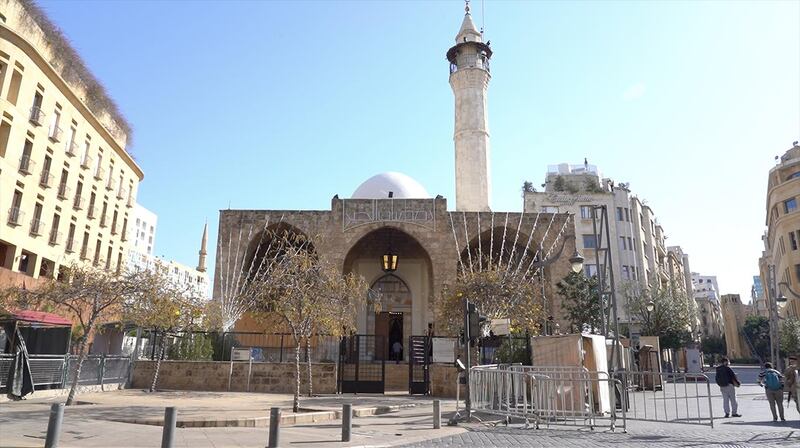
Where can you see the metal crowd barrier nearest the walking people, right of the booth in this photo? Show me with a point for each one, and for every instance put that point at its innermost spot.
(668, 397)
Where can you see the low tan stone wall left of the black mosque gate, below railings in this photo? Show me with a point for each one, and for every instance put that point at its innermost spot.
(213, 376)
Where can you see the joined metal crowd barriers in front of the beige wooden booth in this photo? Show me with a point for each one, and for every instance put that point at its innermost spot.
(565, 396)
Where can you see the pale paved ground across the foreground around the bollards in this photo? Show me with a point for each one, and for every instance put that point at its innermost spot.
(106, 419)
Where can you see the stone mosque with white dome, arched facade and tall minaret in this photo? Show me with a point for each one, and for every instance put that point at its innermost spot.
(392, 210)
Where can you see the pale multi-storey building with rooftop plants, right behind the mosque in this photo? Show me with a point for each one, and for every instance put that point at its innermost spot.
(638, 251)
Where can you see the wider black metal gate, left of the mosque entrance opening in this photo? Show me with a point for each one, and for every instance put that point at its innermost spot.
(362, 367)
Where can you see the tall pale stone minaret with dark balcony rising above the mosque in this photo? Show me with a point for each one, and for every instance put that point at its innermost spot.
(469, 78)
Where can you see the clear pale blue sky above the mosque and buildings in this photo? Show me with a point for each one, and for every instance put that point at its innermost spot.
(281, 105)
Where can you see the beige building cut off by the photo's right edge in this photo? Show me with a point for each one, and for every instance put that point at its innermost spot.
(779, 265)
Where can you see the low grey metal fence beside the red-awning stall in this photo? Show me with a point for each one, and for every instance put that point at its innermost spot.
(57, 371)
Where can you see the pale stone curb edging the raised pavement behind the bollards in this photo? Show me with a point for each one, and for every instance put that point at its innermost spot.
(288, 419)
